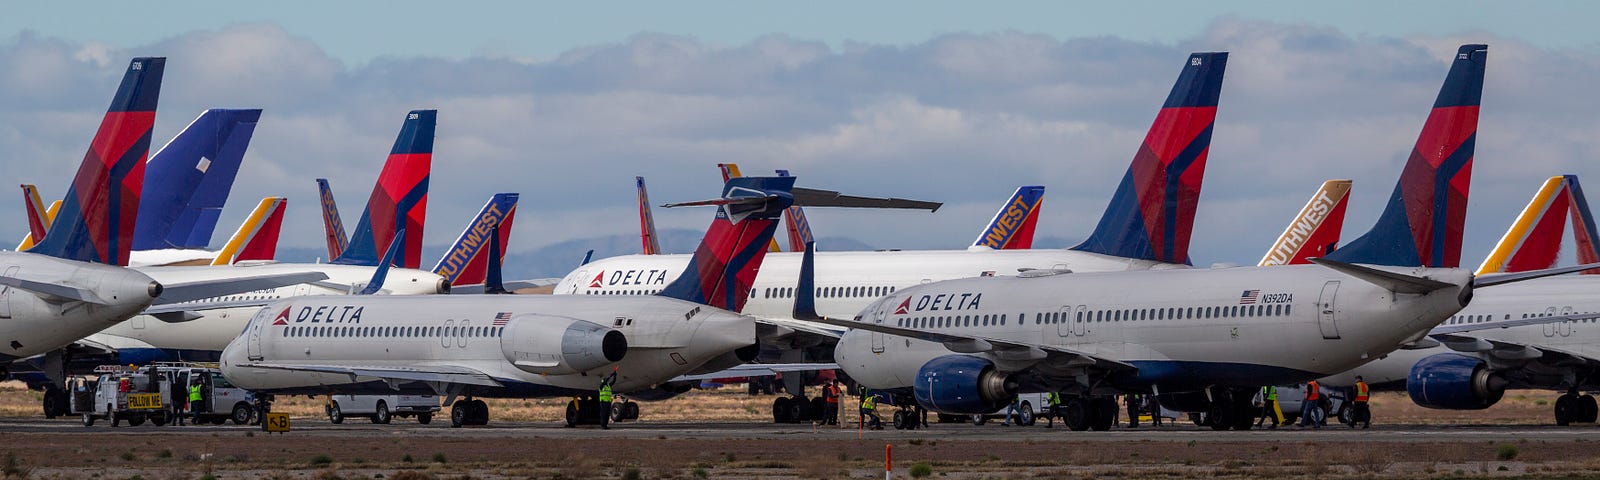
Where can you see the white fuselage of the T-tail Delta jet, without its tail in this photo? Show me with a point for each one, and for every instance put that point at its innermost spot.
(666, 338)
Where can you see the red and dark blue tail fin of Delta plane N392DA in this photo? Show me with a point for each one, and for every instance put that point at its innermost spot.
(1425, 218)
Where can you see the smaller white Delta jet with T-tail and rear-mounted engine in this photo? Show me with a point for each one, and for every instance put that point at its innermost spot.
(529, 346)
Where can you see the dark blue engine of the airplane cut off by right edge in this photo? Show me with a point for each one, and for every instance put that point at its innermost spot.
(1454, 382)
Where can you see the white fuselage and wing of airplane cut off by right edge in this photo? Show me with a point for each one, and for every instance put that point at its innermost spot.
(1527, 300)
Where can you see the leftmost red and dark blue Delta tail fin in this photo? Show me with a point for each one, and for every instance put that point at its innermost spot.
(97, 218)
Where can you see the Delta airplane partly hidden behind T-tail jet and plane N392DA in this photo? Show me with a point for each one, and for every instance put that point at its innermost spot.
(1145, 226)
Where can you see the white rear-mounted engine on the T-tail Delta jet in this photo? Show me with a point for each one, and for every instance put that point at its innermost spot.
(546, 345)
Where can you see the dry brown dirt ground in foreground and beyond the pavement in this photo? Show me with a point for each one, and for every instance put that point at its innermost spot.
(409, 455)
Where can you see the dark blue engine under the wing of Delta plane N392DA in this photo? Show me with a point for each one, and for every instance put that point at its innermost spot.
(962, 385)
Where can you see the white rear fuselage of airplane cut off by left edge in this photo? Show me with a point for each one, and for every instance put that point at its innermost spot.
(31, 326)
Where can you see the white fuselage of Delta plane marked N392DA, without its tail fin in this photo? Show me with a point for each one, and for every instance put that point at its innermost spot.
(1183, 330)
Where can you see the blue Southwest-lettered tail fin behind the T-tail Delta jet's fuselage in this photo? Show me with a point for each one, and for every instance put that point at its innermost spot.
(468, 262)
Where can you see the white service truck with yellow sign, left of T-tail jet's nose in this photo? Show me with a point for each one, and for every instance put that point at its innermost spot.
(124, 394)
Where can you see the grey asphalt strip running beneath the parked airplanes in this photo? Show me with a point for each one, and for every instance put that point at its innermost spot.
(724, 431)
